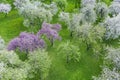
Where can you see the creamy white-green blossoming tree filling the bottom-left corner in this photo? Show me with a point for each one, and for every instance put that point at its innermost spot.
(11, 67)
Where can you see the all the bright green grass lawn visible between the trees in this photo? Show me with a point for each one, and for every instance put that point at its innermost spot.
(88, 66)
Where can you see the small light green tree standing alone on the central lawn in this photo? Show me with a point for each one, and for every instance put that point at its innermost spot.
(71, 52)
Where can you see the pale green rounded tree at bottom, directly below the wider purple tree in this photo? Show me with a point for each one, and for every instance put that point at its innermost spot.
(40, 64)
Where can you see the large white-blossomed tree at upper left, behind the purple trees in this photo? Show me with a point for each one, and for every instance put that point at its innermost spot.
(35, 12)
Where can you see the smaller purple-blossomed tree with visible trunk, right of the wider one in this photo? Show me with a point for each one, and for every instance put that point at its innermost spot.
(50, 31)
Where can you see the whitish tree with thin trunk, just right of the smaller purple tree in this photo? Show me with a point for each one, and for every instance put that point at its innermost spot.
(71, 20)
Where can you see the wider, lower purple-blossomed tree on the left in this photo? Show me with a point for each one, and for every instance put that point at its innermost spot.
(26, 42)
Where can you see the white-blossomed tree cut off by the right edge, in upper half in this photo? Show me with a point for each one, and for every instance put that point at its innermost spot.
(112, 26)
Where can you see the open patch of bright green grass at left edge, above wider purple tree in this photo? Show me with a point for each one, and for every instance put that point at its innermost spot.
(11, 25)
